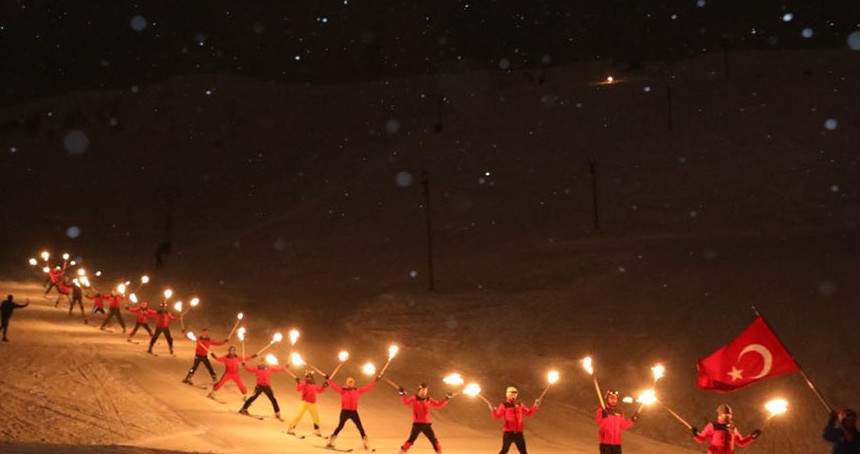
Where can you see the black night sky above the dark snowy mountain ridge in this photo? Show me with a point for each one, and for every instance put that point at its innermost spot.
(52, 46)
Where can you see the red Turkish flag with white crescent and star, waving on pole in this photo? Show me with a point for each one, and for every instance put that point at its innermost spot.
(755, 355)
